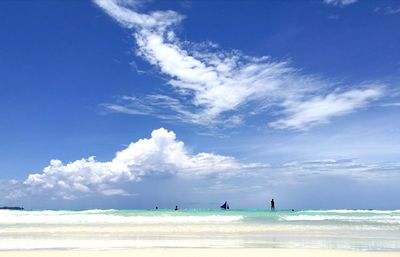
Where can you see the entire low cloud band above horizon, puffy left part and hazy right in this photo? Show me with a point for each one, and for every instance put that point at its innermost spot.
(163, 156)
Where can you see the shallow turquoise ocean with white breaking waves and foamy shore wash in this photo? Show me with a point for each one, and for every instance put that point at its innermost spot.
(369, 230)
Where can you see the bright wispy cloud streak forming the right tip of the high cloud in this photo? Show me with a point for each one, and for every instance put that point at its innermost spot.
(321, 109)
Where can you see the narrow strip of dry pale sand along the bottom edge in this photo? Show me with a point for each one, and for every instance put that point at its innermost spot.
(195, 252)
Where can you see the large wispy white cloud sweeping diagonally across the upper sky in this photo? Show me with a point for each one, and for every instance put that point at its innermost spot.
(217, 88)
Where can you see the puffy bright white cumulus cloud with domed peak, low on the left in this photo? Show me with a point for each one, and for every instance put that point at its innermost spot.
(160, 154)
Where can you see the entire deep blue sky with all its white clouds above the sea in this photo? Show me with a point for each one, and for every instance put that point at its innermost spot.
(295, 100)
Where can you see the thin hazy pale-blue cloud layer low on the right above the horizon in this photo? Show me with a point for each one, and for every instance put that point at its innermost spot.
(285, 175)
